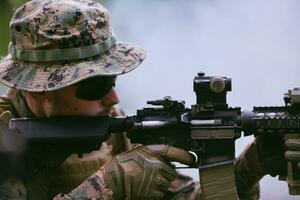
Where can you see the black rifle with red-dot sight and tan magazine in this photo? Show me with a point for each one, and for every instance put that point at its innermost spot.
(209, 129)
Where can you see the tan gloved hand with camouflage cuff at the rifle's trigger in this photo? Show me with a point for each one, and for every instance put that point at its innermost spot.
(144, 172)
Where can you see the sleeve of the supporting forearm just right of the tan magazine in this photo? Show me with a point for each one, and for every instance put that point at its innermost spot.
(248, 173)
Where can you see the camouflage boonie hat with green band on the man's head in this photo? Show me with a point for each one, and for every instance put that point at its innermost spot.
(56, 43)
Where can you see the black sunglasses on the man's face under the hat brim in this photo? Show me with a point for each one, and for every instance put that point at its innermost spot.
(95, 88)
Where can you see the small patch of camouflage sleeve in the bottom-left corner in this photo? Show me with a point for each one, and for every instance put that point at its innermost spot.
(12, 189)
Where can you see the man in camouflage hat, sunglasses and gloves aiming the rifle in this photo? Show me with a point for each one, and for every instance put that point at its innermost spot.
(63, 60)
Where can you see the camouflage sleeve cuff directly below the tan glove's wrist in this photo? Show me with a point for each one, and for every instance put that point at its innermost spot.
(92, 188)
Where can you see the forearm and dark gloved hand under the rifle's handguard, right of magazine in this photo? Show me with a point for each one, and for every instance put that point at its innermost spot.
(263, 156)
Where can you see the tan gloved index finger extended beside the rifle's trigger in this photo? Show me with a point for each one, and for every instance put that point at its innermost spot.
(171, 153)
